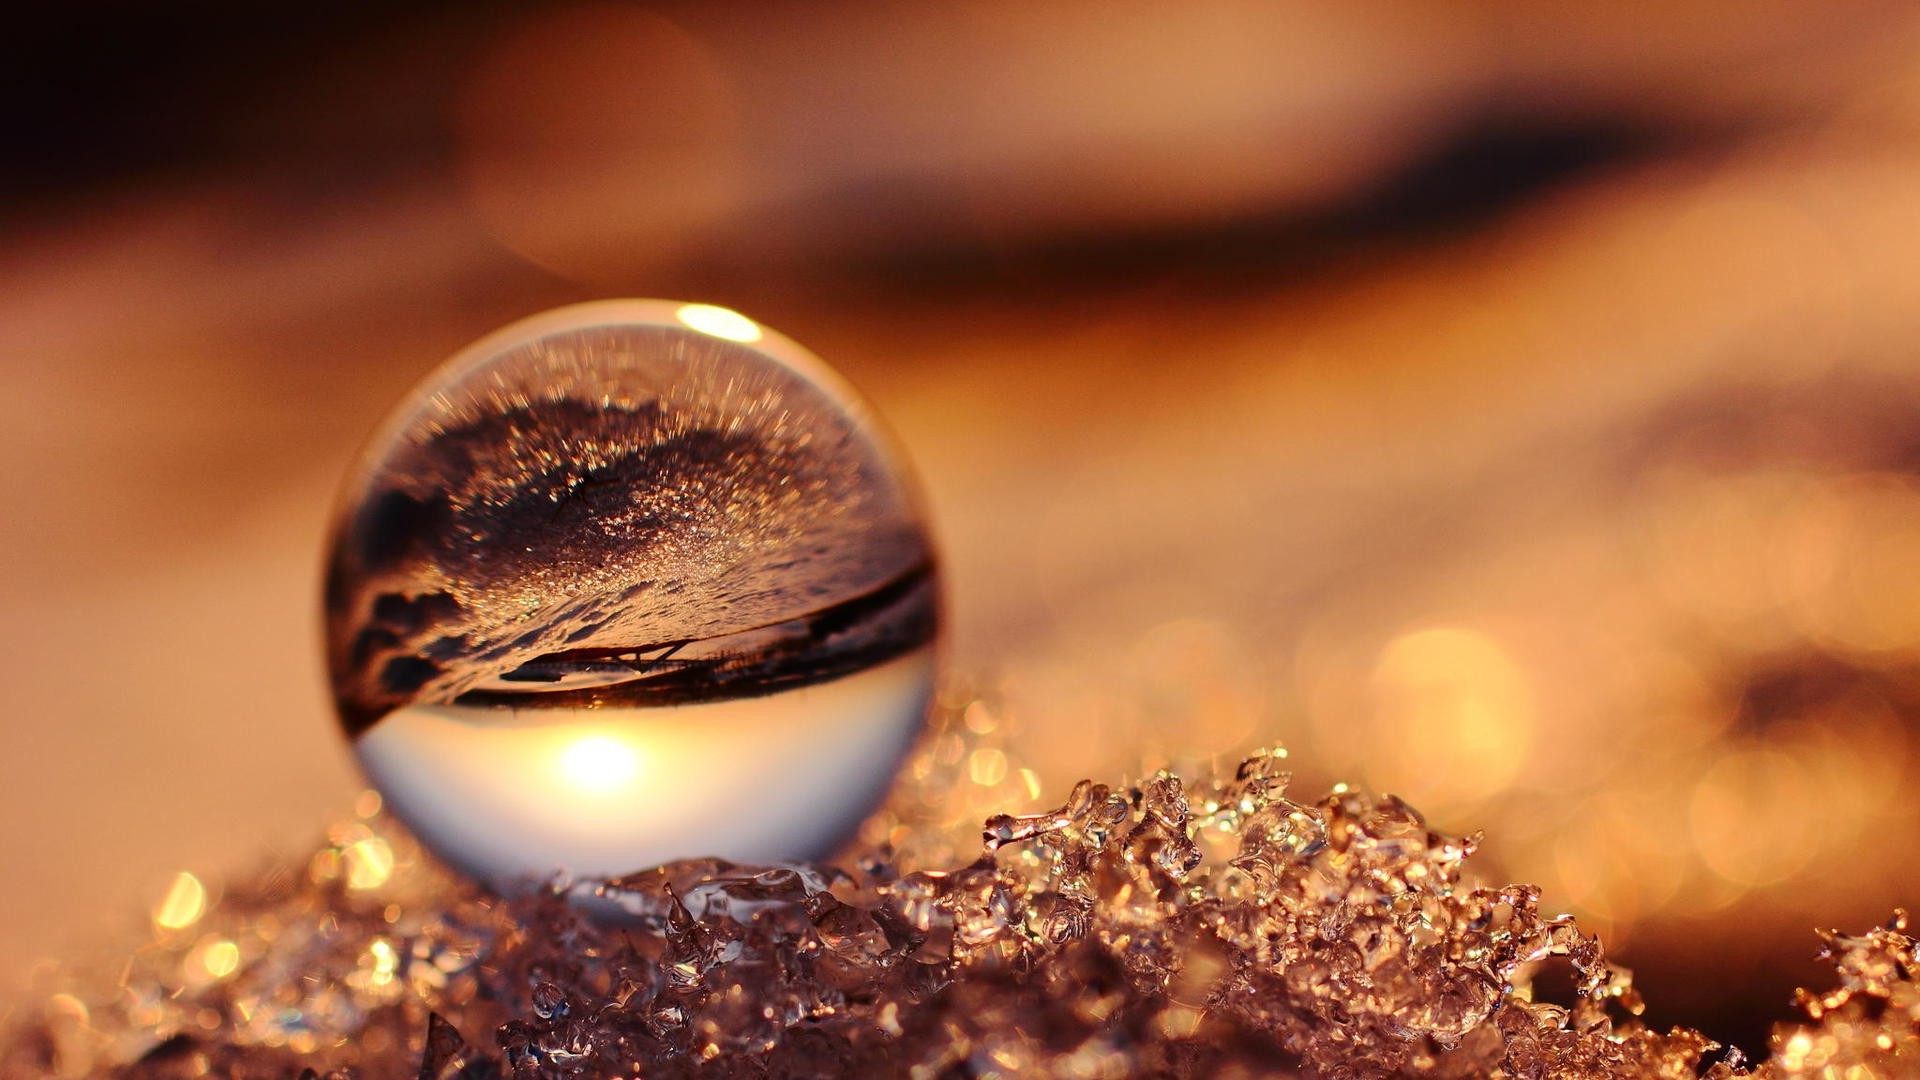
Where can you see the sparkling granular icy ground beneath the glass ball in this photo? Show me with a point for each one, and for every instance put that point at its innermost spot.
(1212, 927)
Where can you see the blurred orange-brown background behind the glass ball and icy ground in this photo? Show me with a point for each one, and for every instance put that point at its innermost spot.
(1514, 406)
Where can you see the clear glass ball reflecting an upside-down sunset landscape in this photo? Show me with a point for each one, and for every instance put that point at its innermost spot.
(629, 583)
